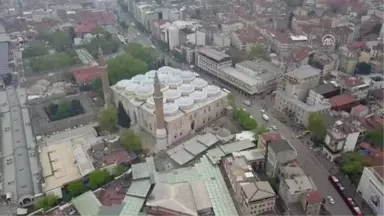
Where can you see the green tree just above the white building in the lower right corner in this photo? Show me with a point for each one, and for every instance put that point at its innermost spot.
(352, 164)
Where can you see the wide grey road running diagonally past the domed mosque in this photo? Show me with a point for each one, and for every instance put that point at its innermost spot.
(306, 159)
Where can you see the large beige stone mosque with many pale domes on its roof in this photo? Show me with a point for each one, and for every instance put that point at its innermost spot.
(189, 102)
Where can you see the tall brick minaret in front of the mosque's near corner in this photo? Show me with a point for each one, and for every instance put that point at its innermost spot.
(161, 133)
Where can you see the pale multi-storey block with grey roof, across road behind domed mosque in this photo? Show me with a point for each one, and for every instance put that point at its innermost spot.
(211, 60)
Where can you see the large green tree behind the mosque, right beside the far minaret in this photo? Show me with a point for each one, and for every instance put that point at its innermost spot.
(125, 67)
